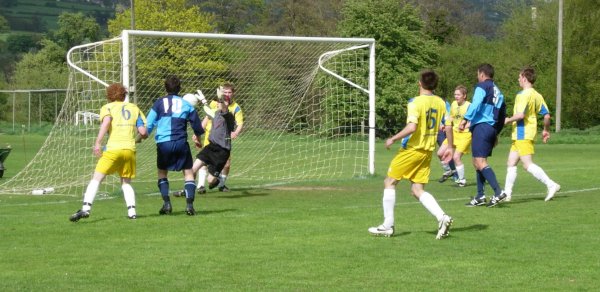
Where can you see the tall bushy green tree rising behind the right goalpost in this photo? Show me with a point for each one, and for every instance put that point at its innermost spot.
(402, 50)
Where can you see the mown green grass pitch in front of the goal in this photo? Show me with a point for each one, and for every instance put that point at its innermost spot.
(313, 236)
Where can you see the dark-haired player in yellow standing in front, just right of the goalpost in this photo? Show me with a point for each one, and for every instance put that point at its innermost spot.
(424, 114)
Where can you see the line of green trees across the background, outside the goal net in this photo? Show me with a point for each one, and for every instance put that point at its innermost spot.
(451, 37)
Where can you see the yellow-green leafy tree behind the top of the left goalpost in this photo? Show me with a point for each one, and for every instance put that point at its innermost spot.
(168, 55)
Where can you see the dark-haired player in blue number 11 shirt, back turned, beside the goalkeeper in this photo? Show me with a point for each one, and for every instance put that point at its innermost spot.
(170, 115)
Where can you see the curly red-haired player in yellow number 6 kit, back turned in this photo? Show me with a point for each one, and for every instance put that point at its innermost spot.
(122, 121)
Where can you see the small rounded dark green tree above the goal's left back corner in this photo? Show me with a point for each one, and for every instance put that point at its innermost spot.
(76, 29)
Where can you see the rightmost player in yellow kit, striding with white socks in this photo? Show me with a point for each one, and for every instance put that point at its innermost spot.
(528, 105)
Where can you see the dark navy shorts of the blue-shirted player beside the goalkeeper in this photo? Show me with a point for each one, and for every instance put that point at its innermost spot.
(174, 155)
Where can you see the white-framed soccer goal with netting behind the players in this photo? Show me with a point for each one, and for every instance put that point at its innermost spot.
(308, 105)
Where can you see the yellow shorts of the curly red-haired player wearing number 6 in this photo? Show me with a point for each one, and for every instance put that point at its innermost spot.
(121, 161)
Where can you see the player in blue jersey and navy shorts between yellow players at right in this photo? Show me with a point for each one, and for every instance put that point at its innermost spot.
(485, 115)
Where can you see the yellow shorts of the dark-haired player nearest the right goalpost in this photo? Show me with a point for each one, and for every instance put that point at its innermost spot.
(413, 165)
